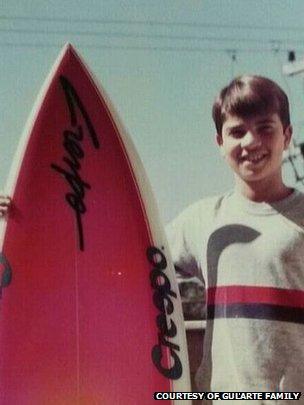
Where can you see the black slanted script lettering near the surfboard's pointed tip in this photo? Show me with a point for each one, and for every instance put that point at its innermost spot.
(74, 153)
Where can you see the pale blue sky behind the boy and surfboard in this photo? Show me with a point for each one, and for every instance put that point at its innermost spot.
(162, 62)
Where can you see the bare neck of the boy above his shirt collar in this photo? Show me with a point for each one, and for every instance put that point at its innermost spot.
(263, 191)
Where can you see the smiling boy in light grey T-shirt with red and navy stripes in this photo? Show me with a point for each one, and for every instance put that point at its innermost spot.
(249, 247)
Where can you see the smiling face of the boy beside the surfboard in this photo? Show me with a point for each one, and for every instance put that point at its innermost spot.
(254, 146)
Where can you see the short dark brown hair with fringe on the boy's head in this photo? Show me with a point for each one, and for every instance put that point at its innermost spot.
(247, 96)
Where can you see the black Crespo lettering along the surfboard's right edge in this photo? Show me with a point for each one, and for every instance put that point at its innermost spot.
(166, 326)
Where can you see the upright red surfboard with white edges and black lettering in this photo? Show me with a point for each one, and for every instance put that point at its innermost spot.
(89, 311)
